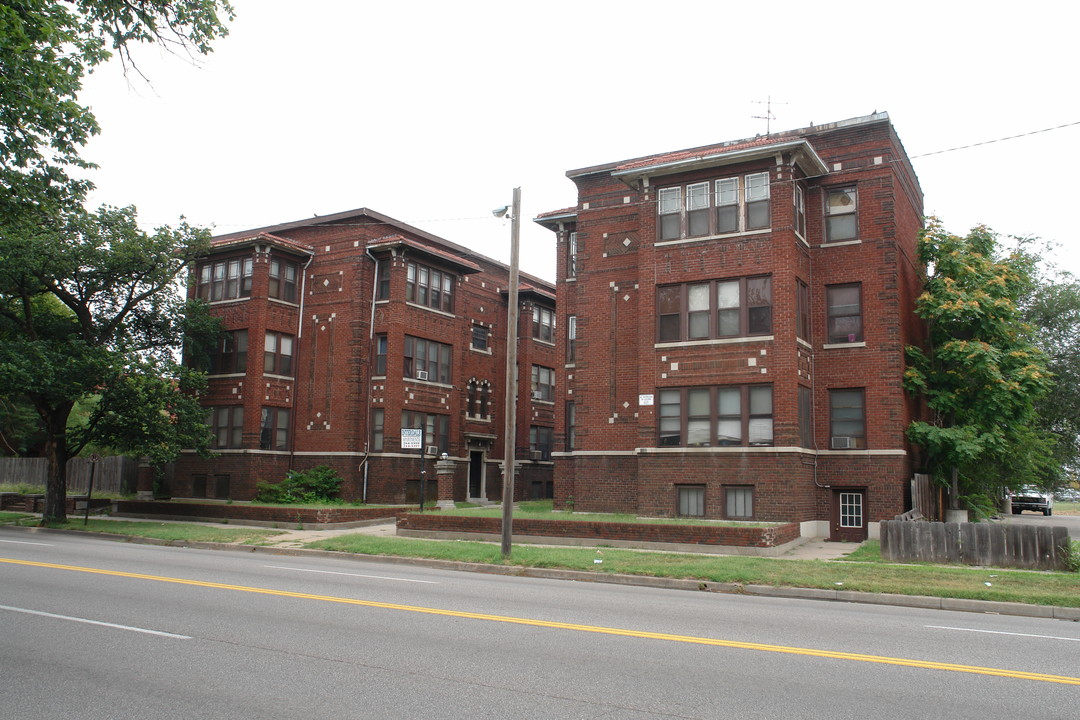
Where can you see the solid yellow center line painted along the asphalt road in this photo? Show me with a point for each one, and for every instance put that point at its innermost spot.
(975, 670)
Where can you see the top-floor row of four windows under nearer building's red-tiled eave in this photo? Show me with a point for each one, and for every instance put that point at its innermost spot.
(714, 208)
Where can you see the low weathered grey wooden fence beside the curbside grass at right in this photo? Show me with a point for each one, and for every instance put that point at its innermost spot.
(1001, 545)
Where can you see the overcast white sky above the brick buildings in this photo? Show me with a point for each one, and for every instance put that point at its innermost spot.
(433, 113)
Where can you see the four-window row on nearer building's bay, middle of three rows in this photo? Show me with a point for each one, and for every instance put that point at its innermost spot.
(714, 309)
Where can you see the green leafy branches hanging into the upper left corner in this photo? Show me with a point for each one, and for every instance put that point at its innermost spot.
(47, 48)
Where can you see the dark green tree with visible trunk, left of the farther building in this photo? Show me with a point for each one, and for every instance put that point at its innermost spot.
(94, 308)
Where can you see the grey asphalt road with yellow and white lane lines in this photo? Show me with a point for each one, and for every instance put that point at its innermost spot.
(93, 629)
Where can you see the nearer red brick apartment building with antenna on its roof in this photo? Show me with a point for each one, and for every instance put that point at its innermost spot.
(733, 330)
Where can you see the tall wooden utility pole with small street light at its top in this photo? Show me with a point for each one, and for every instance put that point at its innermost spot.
(510, 431)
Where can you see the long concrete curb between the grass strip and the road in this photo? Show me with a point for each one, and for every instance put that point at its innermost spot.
(922, 602)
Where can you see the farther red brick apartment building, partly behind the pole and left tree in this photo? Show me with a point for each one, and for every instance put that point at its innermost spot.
(368, 327)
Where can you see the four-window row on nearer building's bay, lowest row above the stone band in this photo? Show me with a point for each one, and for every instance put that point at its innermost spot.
(714, 417)
